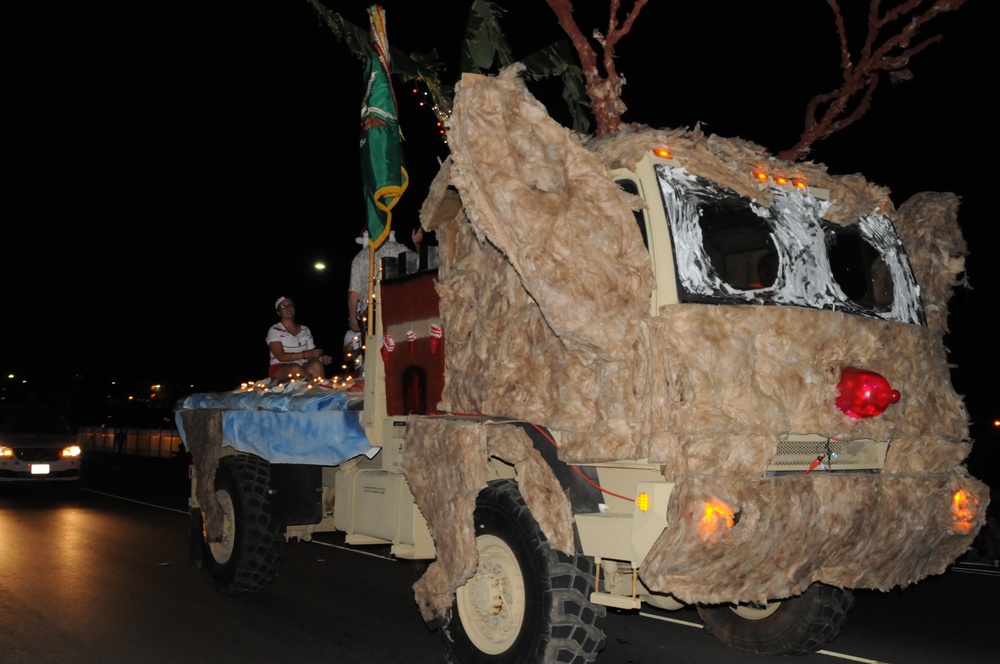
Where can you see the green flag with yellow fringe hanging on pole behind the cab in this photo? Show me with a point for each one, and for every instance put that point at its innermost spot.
(382, 170)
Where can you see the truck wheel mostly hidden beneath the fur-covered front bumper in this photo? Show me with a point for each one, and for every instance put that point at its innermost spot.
(794, 626)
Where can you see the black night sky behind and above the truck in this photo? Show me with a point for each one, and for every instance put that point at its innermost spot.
(175, 169)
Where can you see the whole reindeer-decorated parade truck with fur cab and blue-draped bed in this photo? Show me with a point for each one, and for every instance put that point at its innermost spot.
(657, 367)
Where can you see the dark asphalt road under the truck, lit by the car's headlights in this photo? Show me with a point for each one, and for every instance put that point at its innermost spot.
(101, 575)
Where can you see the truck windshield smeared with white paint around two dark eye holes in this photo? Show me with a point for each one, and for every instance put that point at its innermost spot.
(733, 250)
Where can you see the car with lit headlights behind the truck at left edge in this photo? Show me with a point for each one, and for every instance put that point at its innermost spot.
(36, 445)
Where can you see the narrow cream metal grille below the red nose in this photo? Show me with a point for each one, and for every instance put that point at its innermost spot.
(796, 454)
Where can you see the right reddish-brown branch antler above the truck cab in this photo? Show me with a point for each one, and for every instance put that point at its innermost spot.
(832, 111)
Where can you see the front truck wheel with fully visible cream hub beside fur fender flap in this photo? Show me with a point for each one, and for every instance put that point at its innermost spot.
(526, 602)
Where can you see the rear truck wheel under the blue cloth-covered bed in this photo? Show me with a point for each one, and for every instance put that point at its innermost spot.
(246, 558)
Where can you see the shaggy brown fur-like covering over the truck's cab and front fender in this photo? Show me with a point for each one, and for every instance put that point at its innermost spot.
(545, 288)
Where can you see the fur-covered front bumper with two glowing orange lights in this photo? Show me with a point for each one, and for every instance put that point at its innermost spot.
(778, 535)
